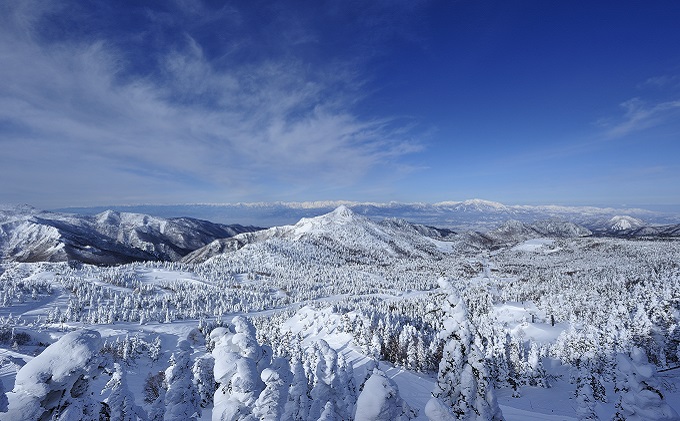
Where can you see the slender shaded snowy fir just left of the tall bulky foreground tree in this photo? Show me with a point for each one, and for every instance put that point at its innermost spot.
(182, 401)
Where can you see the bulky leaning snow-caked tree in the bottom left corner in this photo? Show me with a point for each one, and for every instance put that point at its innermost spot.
(55, 385)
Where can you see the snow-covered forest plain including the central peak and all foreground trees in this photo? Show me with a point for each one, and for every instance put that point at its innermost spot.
(343, 318)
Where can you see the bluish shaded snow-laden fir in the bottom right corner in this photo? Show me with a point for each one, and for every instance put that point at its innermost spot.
(641, 398)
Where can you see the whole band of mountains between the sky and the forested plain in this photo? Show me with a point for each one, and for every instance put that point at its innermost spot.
(114, 237)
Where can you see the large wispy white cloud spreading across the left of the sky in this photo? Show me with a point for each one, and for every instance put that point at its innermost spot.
(80, 117)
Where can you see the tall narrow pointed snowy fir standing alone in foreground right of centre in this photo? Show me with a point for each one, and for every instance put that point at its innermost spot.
(464, 390)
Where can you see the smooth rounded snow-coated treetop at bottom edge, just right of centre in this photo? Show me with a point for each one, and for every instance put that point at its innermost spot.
(380, 401)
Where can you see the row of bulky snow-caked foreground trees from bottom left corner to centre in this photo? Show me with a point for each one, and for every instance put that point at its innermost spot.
(239, 380)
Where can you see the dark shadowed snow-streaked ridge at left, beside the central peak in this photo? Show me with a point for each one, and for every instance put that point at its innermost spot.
(110, 237)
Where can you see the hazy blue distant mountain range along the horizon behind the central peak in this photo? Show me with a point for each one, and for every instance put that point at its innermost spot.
(472, 214)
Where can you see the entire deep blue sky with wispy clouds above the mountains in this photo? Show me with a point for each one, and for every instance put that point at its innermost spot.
(527, 102)
